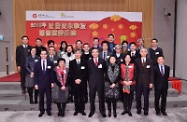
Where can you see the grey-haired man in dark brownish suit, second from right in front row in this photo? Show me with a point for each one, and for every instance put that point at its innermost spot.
(144, 81)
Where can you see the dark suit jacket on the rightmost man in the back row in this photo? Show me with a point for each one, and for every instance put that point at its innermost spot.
(153, 54)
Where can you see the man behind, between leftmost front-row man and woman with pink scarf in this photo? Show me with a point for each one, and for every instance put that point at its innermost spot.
(51, 56)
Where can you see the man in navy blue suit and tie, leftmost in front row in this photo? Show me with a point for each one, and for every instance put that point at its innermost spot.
(44, 82)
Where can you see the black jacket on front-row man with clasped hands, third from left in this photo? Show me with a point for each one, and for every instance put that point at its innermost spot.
(78, 72)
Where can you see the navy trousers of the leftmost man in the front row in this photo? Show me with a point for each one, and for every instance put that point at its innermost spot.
(42, 92)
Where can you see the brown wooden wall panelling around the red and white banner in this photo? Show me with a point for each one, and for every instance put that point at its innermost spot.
(144, 6)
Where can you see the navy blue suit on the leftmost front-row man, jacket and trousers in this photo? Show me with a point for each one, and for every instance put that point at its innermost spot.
(44, 80)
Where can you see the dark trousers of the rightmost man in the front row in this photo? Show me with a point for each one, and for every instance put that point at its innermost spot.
(163, 95)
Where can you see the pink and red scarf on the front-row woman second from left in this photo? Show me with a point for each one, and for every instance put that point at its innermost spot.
(61, 75)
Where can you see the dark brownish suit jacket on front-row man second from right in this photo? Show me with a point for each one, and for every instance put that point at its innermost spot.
(145, 74)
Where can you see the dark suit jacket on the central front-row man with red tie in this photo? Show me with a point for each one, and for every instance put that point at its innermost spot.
(96, 73)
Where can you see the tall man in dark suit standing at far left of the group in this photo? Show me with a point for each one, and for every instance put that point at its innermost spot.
(22, 51)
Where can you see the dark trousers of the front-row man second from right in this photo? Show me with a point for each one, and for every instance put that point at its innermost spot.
(145, 91)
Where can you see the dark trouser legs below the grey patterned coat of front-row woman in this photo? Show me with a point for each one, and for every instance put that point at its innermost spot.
(111, 102)
